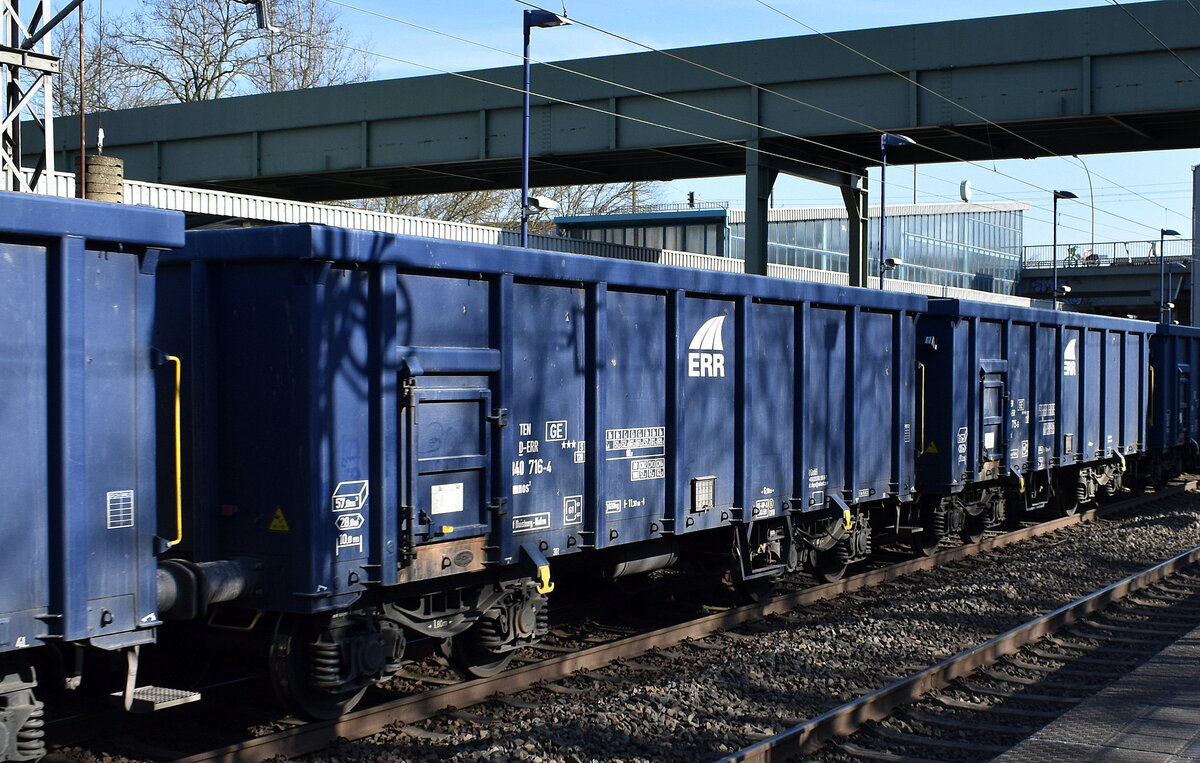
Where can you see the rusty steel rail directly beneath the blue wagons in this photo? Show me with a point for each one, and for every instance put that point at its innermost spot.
(314, 737)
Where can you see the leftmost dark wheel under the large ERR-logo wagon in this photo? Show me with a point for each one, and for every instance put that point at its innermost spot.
(291, 665)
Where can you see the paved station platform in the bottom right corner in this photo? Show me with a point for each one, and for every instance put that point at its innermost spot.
(1151, 716)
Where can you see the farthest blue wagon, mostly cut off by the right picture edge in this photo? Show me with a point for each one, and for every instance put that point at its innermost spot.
(1175, 407)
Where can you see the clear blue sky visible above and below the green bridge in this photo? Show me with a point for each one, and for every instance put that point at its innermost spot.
(1118, 182)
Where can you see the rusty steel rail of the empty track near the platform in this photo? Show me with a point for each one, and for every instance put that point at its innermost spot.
(845, 720)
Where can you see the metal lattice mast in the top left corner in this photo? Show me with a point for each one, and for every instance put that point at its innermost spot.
(28, 77)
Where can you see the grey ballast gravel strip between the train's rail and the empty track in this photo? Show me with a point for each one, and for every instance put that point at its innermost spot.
(689, 704)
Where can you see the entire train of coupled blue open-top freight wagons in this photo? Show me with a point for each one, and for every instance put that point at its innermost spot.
(364, 441)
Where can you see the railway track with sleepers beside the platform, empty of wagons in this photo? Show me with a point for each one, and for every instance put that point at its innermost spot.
(981, 702)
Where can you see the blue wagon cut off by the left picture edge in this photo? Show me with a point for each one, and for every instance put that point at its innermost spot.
(79, 461)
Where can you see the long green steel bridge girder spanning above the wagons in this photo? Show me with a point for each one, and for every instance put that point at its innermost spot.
(1066, 82)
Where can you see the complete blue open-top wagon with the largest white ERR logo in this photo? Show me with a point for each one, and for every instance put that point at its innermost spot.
(406, 437)
